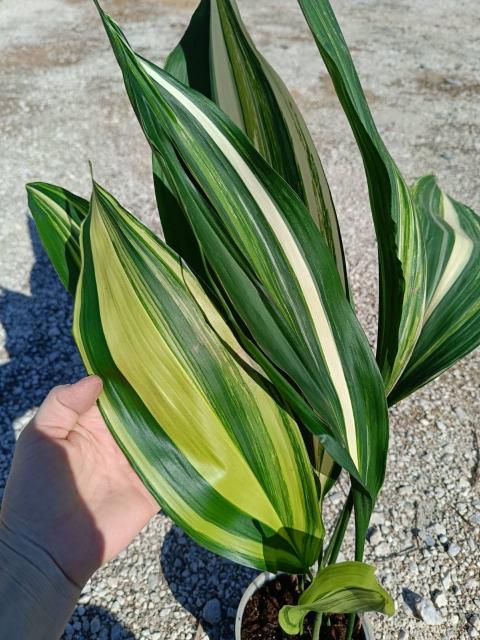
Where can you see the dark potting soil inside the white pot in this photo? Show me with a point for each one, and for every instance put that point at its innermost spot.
(260, 618)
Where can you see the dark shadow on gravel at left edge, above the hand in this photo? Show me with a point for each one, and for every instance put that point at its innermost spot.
(39, 344)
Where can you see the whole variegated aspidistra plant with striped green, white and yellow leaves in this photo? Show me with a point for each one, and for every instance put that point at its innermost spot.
(237, 378)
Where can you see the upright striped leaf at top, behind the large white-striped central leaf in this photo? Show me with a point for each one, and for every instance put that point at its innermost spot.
(217, 57)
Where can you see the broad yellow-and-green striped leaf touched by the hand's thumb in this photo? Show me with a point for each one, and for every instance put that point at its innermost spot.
(181, 398)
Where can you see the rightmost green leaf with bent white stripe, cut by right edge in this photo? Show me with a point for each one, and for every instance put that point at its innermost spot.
(451, 323)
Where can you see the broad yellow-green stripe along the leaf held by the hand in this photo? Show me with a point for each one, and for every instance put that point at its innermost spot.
(167, 390)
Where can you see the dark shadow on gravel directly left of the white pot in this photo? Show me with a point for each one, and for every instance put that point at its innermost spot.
(203, 583)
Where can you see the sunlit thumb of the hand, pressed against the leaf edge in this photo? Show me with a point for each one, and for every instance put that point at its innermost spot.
(63, 405)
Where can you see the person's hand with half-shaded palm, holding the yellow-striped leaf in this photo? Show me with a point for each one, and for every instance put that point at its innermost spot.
(71, 491)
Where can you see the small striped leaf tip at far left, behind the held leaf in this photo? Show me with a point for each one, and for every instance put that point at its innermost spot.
(58, 215)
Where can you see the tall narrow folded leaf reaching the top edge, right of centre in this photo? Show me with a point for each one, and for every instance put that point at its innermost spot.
(400, 244)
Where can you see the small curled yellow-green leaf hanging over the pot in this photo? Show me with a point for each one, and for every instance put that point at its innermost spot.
(346, 587)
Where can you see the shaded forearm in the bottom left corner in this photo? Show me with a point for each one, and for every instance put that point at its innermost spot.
(36, 598)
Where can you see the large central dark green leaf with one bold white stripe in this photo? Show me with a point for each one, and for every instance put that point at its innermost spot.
(271, 266)
